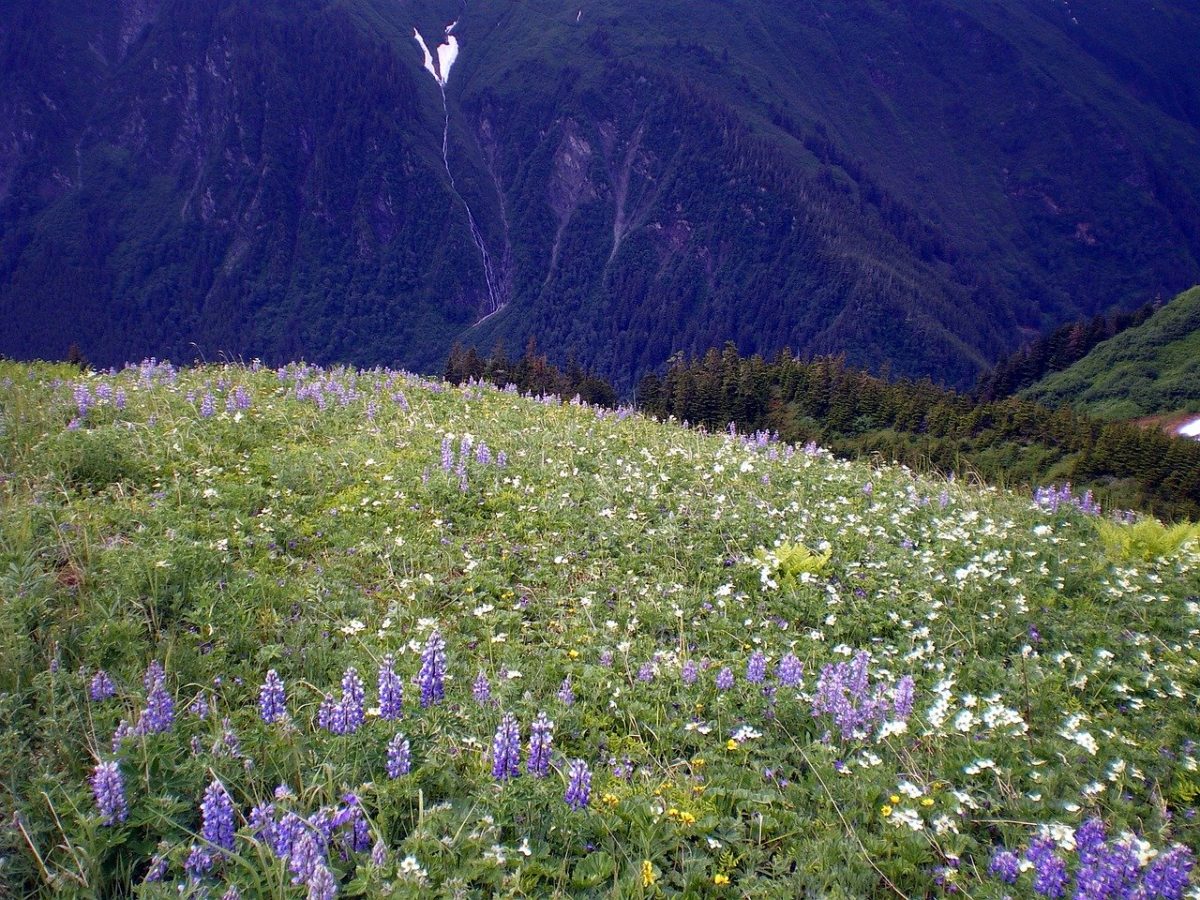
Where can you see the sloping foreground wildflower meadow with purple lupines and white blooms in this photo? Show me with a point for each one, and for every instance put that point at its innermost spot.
(769, 674)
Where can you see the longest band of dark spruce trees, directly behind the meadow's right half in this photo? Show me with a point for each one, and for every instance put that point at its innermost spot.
(920, 424)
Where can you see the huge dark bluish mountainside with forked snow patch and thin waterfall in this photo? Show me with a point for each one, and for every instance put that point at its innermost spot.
(917, 185)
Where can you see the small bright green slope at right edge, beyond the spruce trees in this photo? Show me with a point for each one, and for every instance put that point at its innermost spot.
(1151, 369)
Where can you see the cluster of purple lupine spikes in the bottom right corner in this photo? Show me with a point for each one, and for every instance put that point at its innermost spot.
(1105, 871)
